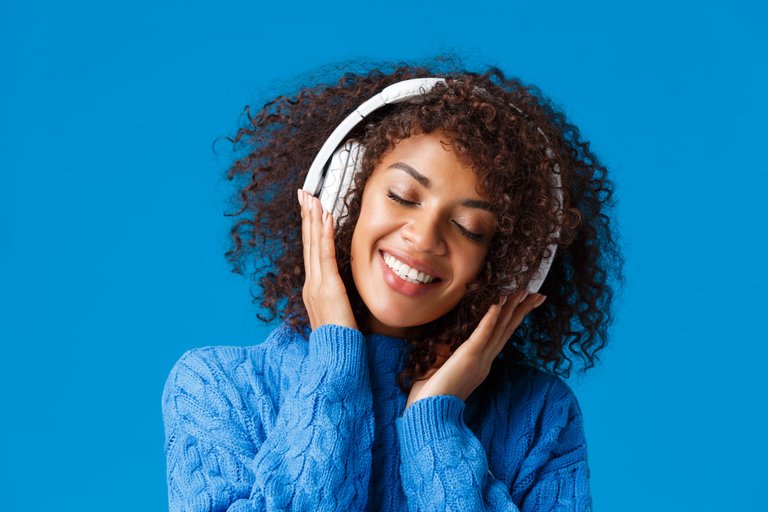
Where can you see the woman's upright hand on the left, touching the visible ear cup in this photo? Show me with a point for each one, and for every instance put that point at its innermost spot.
(324, 294)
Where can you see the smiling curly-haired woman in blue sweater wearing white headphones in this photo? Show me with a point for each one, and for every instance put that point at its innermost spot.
(416, 366)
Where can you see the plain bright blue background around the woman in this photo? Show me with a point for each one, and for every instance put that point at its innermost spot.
(112, 234)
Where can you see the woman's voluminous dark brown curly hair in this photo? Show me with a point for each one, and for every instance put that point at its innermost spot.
(505, 130)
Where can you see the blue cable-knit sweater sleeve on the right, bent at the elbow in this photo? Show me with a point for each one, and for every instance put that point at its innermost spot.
(444, 466)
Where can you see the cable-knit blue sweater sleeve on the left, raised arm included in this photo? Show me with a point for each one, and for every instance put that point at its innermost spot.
(229, 448)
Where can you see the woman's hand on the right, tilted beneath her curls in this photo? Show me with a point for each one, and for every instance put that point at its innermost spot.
(460, 373)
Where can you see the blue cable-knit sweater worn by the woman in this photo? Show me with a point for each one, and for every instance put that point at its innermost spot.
(319, 425)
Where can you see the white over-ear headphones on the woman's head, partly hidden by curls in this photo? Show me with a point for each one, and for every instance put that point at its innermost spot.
(331, 172)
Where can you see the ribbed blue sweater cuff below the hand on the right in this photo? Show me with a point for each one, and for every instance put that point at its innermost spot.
(430, 419)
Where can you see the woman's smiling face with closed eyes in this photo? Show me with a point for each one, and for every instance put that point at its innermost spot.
(422, 235)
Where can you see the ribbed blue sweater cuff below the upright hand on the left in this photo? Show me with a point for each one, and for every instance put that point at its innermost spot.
(338, 351)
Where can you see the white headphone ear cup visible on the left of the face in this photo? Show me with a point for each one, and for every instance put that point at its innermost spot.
(345, 162)
